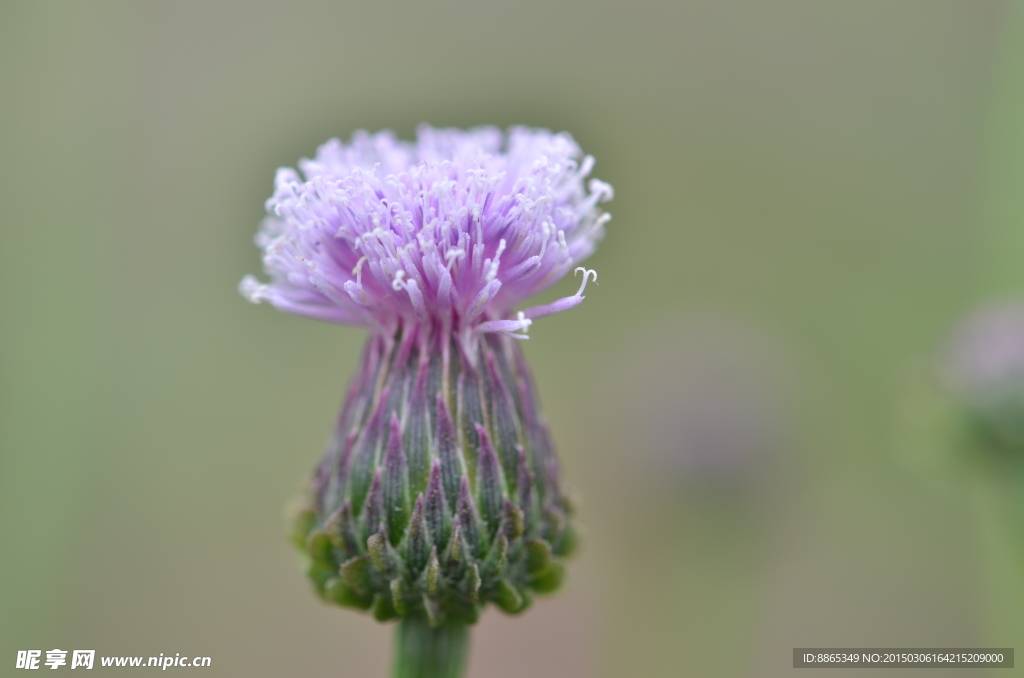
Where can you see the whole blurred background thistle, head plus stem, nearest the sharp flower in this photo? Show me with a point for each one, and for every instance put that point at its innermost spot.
(701, 411)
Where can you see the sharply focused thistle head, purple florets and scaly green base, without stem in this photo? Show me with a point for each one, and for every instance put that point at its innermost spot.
(440, 491)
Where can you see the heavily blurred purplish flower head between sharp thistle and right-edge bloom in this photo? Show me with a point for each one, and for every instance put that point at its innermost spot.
(705, 402)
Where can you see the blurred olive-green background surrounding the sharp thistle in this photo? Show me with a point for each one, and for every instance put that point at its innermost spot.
(813, 192)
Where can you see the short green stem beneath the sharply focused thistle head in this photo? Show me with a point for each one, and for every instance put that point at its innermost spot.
(422, 652)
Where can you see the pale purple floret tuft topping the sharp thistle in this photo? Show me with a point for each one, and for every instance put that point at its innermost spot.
(459, 228)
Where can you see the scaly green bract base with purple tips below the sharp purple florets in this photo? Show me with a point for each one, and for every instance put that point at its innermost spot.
(440, 492)
